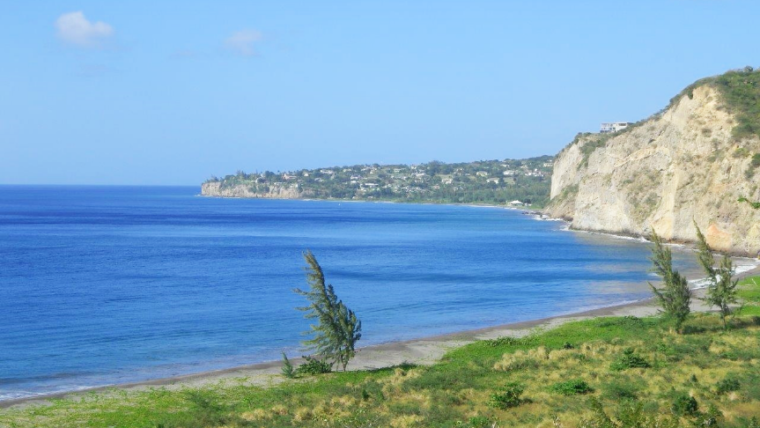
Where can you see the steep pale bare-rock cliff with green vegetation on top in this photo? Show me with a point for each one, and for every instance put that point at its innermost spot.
(697, 160)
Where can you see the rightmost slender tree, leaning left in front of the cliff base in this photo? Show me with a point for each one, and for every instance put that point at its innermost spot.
(721, 288)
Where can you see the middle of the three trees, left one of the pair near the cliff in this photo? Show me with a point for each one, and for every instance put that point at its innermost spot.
(674, 297)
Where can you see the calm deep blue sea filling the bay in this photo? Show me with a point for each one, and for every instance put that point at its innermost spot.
(105, 285)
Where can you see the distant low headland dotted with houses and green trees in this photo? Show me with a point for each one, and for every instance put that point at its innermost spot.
(482, 182)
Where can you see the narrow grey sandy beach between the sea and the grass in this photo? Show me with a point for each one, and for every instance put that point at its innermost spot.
(422, 351)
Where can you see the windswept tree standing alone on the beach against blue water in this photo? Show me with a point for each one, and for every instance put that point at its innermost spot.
(337, 329)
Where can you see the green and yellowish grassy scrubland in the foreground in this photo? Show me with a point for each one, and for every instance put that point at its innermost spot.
(604, 372)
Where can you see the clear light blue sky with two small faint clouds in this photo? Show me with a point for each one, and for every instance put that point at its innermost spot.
(172, 92)
